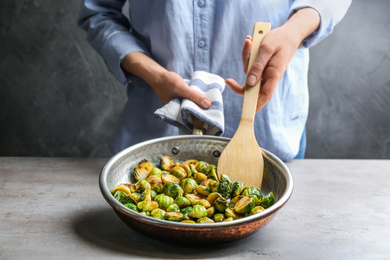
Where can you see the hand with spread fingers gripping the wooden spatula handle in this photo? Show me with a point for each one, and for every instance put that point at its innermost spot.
(276, 51)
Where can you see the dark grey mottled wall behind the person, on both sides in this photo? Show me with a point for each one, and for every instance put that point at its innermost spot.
(58, 99)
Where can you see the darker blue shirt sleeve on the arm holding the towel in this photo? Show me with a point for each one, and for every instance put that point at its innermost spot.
(109, 33)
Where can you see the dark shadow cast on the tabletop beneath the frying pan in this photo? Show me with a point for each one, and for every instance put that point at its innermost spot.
(104, 228)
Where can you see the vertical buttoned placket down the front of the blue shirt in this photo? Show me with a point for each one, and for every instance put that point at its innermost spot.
(201, 40)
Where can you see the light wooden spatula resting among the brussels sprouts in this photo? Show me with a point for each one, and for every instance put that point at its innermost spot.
(242, 159)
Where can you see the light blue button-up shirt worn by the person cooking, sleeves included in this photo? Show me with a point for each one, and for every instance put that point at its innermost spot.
(185, 36)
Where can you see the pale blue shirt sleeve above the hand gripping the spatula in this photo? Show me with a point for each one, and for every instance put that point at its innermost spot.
(331, 12)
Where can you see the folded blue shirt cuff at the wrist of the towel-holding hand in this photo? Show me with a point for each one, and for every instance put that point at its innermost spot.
(114, 50)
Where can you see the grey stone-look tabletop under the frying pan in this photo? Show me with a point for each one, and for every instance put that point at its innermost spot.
(51, 208)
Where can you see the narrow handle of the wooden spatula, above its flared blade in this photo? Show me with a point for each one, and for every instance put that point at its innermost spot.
(251, 92)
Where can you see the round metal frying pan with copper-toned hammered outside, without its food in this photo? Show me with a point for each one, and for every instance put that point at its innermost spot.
(118, 169)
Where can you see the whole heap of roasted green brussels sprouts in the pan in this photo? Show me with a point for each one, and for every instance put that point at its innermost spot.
(189, 193)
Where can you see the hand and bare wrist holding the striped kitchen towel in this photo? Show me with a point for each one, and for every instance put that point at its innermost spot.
(166, 84)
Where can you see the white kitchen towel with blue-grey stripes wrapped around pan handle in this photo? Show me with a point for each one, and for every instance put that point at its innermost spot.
(179, 112)
